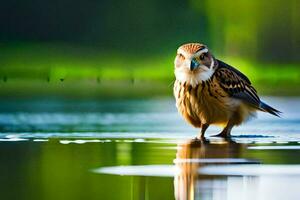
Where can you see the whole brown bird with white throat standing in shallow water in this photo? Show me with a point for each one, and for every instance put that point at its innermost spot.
(209, 91)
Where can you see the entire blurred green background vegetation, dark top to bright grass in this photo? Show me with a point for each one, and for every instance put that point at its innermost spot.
(111, 48)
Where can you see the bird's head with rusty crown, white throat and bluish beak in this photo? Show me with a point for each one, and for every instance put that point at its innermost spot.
(194, 63)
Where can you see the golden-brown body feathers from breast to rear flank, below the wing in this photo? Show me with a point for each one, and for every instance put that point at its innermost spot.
(209, 103)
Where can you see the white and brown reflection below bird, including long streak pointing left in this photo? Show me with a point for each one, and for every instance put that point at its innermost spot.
(209, 170)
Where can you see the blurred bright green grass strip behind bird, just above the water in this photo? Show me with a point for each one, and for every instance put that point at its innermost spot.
(61, 69)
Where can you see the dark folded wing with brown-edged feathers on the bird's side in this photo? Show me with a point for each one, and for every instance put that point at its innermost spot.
(236, 84)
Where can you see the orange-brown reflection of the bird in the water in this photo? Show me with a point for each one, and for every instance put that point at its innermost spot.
(194, 154)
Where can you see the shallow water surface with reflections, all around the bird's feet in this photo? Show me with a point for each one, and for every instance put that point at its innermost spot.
(142, 149)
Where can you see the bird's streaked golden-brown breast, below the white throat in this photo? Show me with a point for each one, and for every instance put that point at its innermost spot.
(205, 102)
